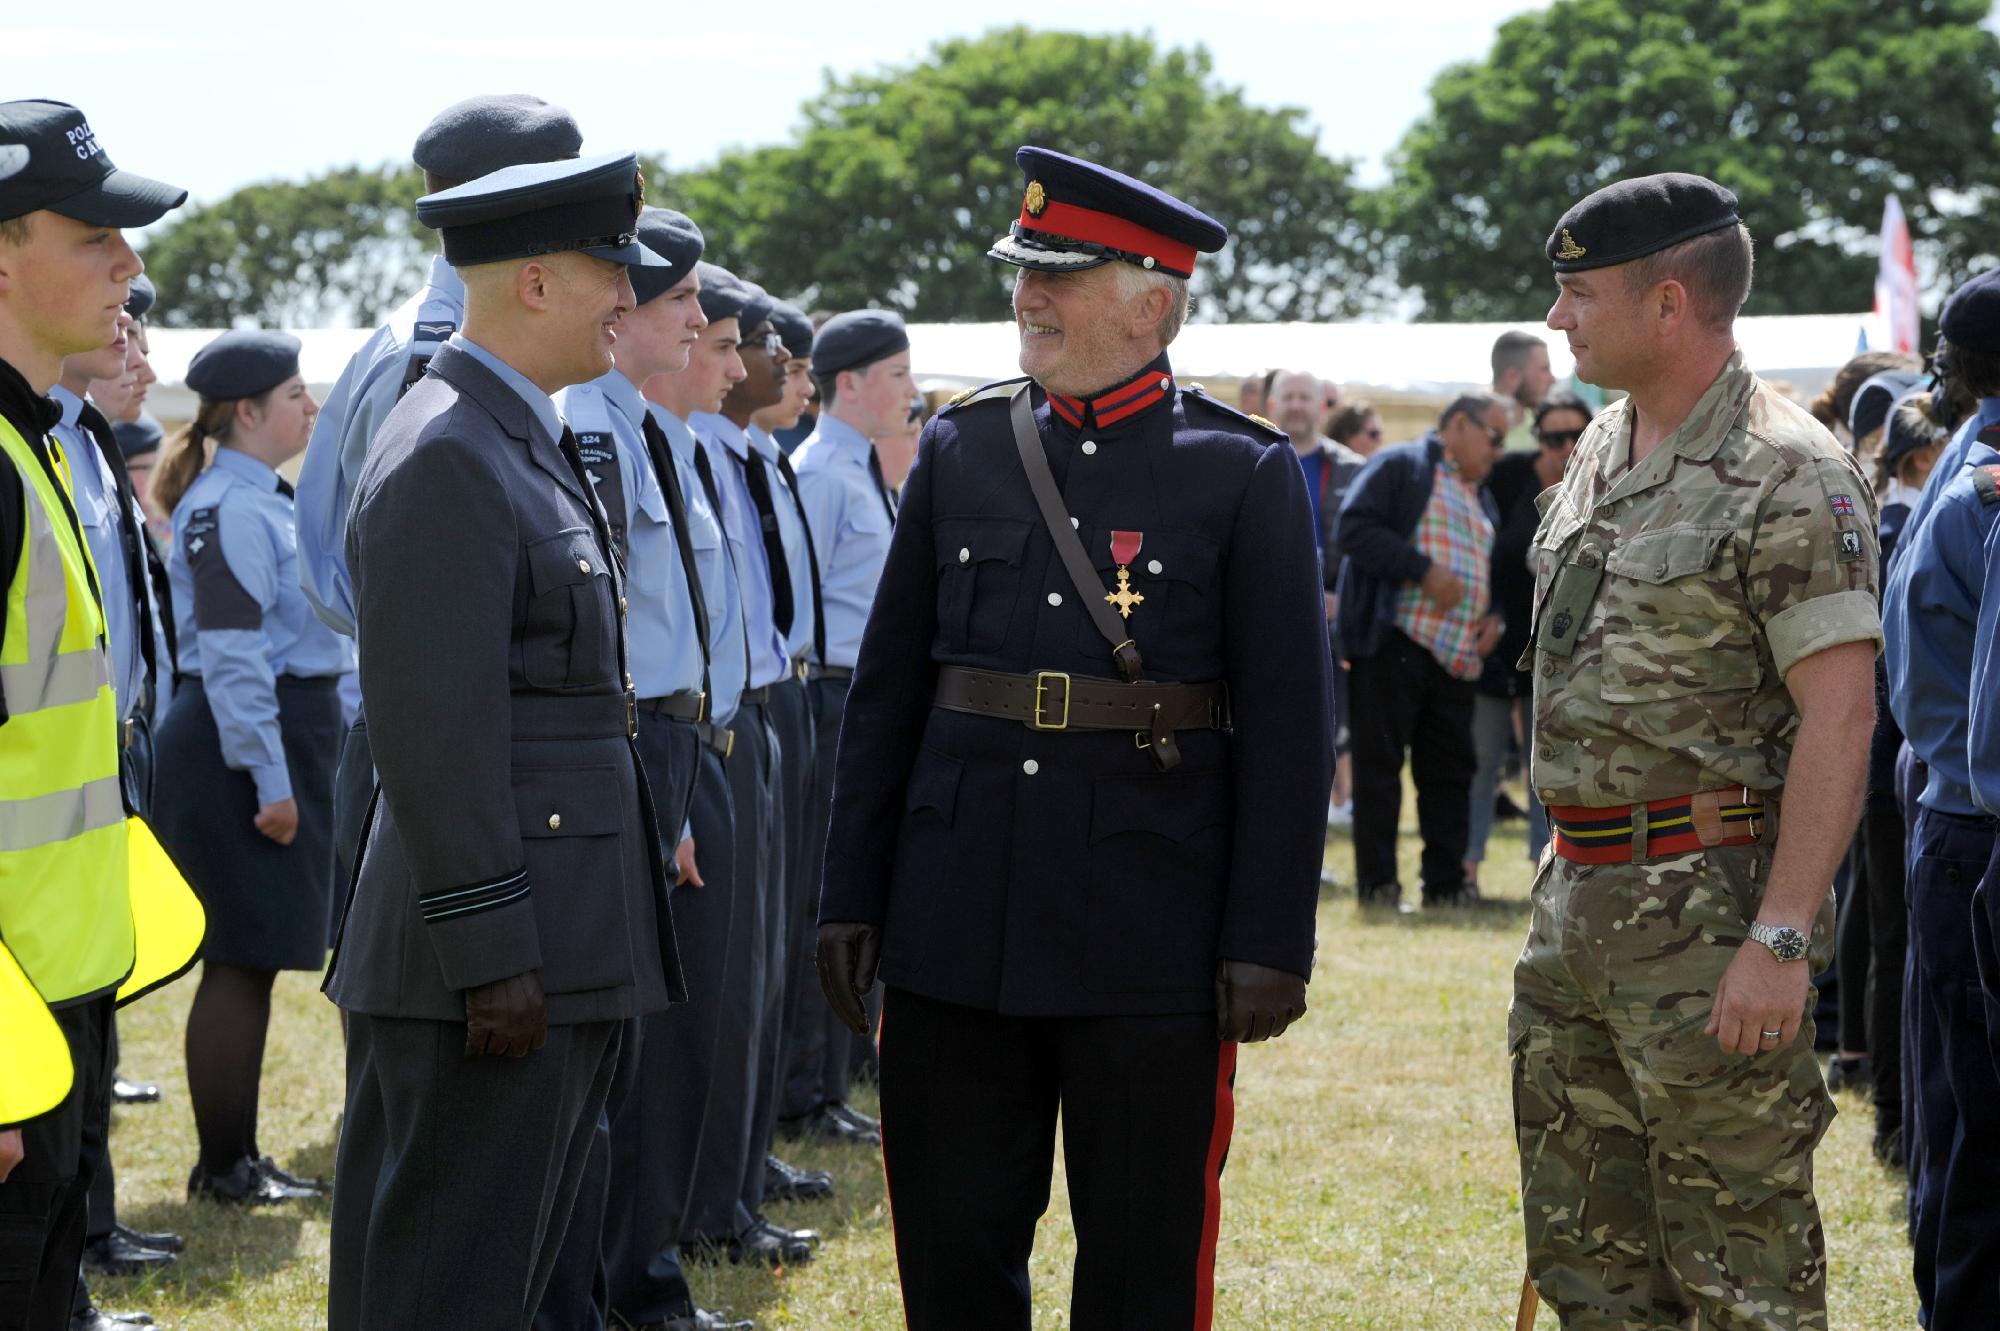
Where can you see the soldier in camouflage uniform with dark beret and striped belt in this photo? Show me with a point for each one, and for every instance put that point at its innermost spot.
(1703, 655)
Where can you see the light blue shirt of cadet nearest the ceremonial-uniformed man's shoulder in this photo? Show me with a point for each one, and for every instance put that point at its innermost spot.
(851, 529)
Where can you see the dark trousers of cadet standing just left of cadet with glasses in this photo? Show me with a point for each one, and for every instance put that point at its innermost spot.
(751, 990)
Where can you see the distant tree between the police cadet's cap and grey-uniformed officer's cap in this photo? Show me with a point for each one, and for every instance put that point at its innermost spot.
(339, 249)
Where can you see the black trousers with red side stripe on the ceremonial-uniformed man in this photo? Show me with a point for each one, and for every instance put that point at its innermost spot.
(971, 1104)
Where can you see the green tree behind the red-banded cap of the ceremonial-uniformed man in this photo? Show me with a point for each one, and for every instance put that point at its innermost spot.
(901, 179)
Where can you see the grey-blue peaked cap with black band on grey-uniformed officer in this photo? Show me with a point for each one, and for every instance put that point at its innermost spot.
(537, 209)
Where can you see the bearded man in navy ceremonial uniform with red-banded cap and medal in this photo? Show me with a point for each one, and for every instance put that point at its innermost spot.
(1081, 788)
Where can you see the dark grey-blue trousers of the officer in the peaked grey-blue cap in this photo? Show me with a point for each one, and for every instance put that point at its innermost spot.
(457, 1176)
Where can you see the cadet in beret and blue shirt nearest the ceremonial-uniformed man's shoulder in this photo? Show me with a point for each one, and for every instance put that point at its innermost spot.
(861, 367)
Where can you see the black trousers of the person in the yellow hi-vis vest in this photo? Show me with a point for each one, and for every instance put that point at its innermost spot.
(45, 1200)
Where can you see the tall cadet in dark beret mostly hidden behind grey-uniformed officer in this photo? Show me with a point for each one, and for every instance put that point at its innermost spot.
(463, 143)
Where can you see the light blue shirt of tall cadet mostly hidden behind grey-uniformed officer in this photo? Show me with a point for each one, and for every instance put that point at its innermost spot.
(363, 397)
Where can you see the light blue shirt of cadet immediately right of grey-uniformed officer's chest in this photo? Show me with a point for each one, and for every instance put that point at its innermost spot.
(667, 659)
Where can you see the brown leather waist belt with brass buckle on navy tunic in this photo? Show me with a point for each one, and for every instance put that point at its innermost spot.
(1057, 700)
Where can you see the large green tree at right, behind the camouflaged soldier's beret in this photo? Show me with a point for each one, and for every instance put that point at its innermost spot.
(1813, 111)
